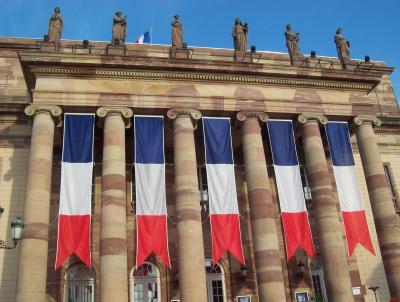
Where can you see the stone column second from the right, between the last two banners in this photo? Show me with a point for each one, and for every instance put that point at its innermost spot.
(329, 229)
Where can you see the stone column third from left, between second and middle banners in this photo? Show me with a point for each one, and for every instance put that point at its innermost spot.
(191, 265)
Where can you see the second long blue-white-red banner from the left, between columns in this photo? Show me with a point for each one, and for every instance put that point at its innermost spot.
(151, 209)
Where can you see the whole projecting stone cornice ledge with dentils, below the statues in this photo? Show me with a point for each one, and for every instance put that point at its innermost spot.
(39, 64)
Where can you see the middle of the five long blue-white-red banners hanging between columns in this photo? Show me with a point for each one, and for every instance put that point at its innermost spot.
(224, 213)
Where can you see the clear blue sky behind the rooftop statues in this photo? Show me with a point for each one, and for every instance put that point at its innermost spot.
(372, 26)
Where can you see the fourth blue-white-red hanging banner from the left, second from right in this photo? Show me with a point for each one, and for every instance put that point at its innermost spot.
(291, 198)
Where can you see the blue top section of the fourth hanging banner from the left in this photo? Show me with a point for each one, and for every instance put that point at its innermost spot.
(282, 143)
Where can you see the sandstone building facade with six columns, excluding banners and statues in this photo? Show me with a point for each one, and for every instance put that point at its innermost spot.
(39, 82)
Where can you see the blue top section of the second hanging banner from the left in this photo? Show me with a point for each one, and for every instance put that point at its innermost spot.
(149, 139)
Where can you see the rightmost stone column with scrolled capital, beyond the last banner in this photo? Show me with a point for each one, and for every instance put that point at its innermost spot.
(386, 220)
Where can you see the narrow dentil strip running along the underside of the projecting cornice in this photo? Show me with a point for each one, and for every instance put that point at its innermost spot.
(94, 72)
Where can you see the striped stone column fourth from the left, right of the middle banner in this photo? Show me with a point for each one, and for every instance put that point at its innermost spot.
(270, 282)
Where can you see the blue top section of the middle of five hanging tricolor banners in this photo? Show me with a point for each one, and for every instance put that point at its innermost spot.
(218, 141)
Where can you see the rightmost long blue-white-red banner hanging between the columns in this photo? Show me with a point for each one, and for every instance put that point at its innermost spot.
(351, 203)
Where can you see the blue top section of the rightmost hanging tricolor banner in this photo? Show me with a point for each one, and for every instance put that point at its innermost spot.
(339, 144)
